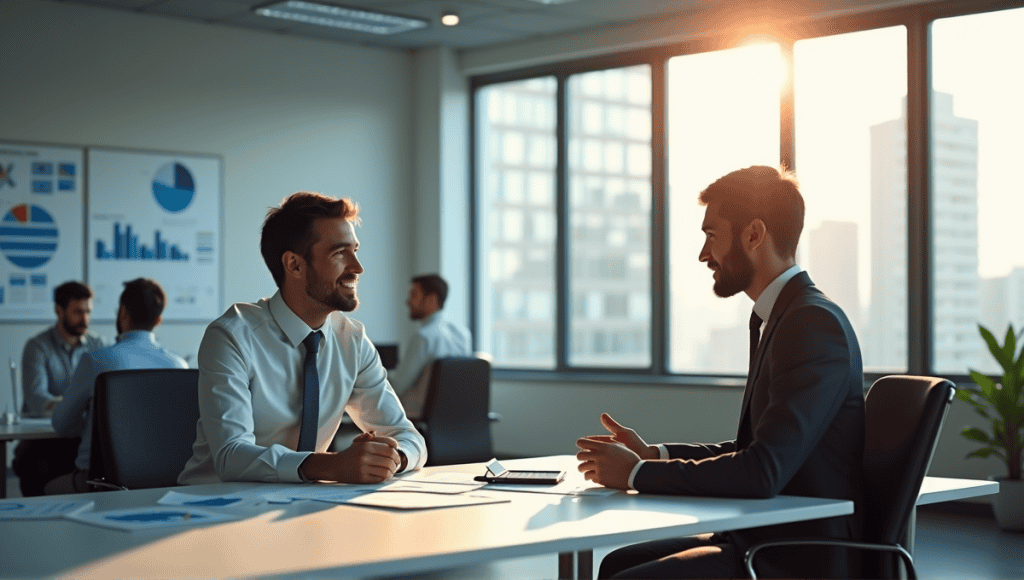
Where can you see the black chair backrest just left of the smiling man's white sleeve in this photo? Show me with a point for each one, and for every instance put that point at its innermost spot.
(144, 427)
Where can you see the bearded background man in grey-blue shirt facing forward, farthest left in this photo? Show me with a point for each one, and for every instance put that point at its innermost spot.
(48, 364)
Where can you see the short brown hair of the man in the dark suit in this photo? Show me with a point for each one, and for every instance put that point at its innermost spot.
(761, 192)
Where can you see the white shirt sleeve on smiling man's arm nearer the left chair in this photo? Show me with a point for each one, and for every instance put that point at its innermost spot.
(227, 415)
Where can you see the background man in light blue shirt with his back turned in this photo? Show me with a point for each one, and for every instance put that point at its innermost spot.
(140, 312)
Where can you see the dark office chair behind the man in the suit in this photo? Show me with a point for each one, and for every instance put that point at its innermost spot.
(903, 419)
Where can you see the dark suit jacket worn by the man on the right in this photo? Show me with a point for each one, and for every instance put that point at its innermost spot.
(801, 433)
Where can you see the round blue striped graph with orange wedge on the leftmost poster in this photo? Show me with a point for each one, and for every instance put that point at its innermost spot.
(28, 236)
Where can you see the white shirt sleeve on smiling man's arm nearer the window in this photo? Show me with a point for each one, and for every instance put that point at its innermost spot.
(374, 406)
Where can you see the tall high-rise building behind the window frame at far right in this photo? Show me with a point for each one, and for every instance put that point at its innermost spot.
(956, 284)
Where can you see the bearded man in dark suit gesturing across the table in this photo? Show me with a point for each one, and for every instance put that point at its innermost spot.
(802, 422)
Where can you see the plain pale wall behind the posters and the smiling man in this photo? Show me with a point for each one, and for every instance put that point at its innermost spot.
(285, 114)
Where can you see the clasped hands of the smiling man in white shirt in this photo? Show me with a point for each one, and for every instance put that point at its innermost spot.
(370, 460)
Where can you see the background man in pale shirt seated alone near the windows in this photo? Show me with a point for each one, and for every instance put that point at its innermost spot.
(436, 339)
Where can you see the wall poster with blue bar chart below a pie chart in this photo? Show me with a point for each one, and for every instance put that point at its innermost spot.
(155, 216)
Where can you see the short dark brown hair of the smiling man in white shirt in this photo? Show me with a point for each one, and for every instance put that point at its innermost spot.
(289, 228)
